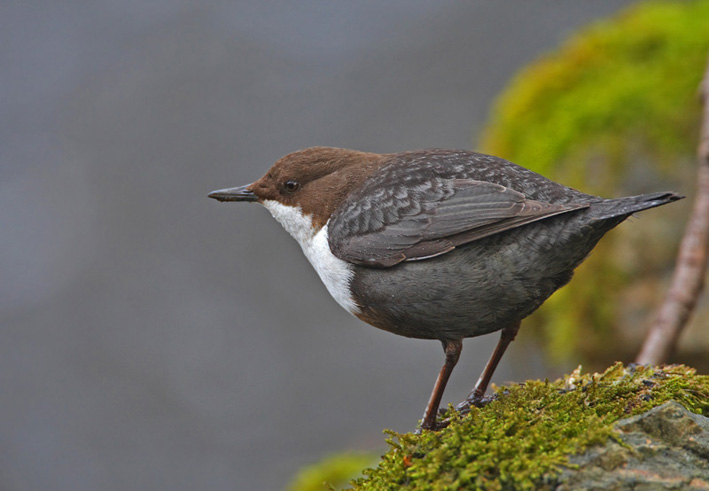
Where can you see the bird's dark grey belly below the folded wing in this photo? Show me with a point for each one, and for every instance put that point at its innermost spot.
(475, 289)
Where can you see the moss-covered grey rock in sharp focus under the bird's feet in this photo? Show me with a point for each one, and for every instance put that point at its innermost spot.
(534, 435)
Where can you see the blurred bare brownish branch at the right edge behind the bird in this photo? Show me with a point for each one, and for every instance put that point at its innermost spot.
(688, 280)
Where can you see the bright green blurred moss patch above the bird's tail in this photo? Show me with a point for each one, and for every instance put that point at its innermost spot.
(631, 77)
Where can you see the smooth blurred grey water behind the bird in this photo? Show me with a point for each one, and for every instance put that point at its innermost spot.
(151, 338)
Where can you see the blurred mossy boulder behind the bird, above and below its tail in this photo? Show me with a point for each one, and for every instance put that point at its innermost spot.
(616, 101)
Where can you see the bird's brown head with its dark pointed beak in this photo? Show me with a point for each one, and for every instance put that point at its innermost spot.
(316, 180)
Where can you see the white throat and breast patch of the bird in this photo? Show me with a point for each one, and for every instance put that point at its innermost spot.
(335, 273)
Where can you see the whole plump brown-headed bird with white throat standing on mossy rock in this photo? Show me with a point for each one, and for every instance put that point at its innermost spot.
(436, 244)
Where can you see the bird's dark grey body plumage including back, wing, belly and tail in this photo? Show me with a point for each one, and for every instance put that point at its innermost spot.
(472, 243)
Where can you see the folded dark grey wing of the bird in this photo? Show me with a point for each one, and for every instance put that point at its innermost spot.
(420, 216)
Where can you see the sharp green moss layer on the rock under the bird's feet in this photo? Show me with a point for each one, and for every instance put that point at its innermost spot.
(526, 436)
